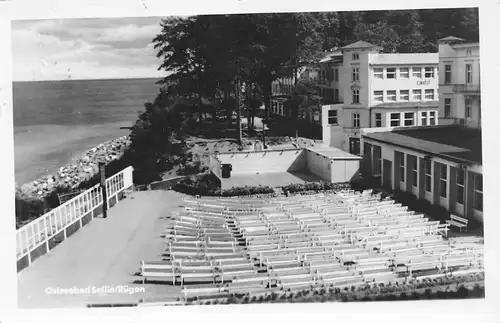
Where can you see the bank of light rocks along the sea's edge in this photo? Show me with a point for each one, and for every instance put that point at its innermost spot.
(82, 169)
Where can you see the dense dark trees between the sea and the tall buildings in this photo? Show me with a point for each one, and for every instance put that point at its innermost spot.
(228, 62)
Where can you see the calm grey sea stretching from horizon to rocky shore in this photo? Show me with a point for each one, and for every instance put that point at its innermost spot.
(57, 121)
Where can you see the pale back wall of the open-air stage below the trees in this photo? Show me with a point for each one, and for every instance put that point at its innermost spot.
(268, 161)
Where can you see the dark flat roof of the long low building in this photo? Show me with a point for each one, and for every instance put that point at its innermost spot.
(454, 142)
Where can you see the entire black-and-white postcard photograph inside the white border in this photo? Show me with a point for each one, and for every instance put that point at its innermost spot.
(248, 158)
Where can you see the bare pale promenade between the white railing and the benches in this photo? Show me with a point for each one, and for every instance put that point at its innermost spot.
(106, 252)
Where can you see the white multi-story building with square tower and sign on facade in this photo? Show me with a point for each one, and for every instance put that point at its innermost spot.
(380, 90)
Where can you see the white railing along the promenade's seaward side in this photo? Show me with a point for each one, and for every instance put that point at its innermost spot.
(55, 222)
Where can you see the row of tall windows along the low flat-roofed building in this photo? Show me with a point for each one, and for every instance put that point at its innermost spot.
(443, 182)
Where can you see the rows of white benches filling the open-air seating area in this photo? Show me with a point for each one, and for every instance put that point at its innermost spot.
(219, 247)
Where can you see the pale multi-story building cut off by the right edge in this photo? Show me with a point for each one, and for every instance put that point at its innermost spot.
(459, 82)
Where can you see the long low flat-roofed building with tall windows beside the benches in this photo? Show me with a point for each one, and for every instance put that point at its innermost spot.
(440, 164)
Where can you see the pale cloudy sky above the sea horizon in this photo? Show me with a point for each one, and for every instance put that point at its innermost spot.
(61, 49)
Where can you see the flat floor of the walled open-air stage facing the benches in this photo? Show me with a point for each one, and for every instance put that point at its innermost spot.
(268, 179)
